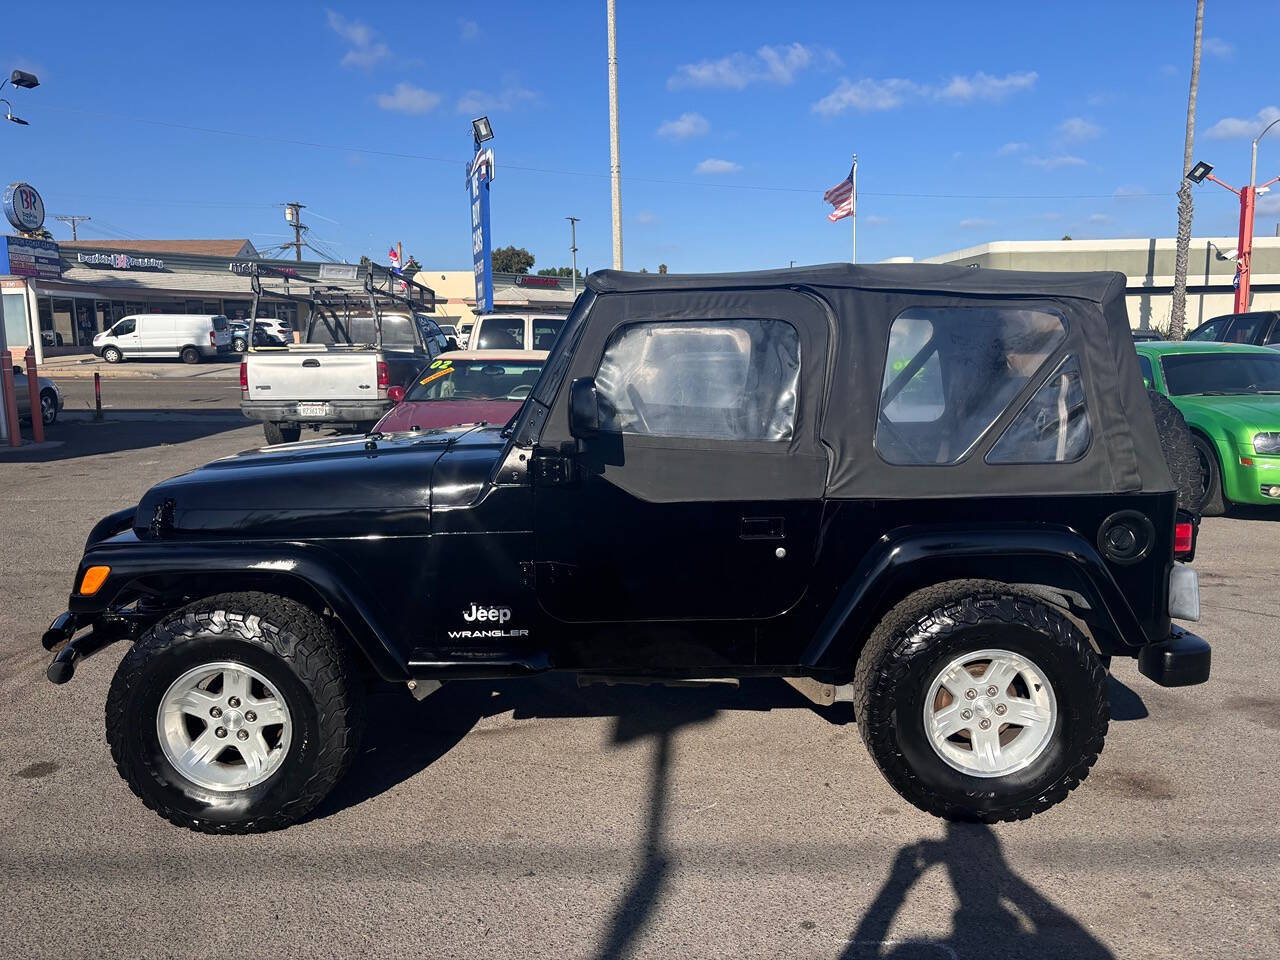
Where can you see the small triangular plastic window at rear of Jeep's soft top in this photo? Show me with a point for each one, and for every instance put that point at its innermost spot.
(1054, 427)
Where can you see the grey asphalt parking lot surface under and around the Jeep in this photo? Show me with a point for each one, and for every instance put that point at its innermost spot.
(540, 820)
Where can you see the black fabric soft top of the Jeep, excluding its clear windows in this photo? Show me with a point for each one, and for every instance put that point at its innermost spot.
(845, 314)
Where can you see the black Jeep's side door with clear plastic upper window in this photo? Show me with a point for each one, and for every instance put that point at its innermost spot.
(696, 508)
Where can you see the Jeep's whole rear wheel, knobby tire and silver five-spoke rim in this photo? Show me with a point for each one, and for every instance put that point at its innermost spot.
(986, 708)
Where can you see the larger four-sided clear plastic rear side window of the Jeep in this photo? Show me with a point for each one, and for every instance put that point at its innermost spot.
(952, 372)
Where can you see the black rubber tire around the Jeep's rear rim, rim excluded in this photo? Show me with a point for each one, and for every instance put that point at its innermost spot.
(929, 630)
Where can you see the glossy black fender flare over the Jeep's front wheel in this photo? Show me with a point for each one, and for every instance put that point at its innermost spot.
(331, 579)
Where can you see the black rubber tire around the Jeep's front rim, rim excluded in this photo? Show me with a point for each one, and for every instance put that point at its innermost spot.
(294, 648)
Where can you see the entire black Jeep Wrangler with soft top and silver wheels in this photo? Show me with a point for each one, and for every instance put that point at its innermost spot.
(936, 492)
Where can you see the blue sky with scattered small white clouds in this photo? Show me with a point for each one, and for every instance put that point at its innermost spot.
(972, 124)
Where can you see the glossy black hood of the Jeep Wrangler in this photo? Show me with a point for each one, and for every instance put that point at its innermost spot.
(341, 487)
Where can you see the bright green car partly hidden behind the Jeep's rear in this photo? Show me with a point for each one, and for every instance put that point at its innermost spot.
(1231, 396)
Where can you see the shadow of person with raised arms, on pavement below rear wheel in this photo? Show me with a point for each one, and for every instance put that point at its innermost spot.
(999, 913)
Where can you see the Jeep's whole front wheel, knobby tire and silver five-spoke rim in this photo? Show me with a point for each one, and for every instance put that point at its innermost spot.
(236, 715)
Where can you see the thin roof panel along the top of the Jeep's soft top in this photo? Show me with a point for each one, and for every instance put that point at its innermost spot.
(935, 278)
